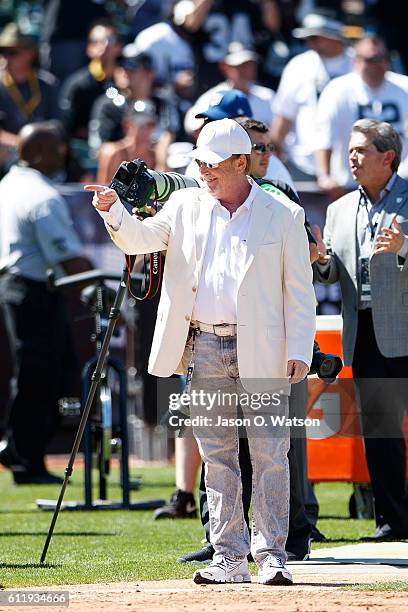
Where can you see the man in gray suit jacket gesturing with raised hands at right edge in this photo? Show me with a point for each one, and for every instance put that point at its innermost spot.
(365, 248)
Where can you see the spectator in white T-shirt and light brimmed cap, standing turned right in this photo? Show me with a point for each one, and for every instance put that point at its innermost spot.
(303, 80)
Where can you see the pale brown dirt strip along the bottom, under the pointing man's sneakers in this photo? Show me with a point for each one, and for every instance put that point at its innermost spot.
(318, 588)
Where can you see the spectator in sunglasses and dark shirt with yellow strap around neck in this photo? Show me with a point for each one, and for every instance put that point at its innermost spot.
(84, 86)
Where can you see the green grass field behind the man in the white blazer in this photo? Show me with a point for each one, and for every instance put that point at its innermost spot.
(106, 546)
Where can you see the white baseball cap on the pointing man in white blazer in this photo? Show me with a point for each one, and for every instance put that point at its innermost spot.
(218, 140)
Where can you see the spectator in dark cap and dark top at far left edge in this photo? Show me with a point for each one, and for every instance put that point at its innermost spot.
(26, 93)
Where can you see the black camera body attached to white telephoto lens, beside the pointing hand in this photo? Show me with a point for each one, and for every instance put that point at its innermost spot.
(133, 183)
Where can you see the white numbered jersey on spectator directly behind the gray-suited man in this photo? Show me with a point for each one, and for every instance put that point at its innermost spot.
(349, 98)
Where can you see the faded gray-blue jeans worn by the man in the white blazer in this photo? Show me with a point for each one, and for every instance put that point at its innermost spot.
(216, 373)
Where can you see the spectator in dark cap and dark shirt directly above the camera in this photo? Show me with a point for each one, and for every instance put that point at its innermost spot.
(134, 79)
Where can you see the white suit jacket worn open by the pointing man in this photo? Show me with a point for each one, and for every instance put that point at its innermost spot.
(275, 302)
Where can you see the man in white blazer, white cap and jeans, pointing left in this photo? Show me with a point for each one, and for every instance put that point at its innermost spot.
(237, 306)
